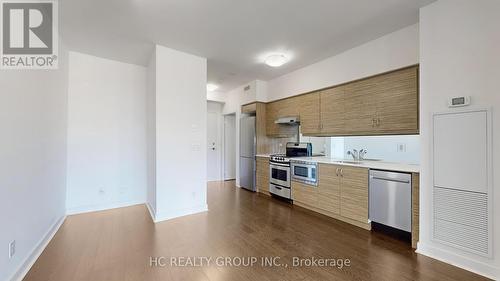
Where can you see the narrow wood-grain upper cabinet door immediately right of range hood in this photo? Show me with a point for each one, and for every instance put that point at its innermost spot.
(309, 110)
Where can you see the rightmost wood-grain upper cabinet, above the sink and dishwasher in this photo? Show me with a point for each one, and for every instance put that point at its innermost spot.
(382, 105)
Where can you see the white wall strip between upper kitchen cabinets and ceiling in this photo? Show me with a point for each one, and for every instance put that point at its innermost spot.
(392, 51)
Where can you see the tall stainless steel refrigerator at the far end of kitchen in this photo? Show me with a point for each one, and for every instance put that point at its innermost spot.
(247, 152)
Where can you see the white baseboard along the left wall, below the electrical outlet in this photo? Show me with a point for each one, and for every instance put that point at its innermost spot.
(37, 251)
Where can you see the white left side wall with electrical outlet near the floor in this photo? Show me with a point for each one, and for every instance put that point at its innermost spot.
(33, 106)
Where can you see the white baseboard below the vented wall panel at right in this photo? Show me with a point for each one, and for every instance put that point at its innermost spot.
(460, 261)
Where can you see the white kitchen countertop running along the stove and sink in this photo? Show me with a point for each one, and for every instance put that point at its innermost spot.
(380, 165)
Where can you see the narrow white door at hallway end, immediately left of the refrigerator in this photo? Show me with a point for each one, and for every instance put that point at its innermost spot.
(230, 147)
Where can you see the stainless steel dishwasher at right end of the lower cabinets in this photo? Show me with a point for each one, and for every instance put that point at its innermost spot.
(390, 199)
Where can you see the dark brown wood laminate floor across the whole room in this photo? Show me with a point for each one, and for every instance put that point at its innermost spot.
(116, 245)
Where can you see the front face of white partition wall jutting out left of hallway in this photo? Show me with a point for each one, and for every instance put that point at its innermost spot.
(181, 148)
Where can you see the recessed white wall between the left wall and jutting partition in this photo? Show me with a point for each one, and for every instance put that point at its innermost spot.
(106, 134)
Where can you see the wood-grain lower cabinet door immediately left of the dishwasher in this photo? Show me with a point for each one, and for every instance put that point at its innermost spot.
(354, 193)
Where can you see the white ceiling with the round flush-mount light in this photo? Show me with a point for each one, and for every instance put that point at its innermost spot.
(232, 34)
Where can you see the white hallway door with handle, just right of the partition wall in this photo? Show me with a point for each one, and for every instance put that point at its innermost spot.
(213, 150)
